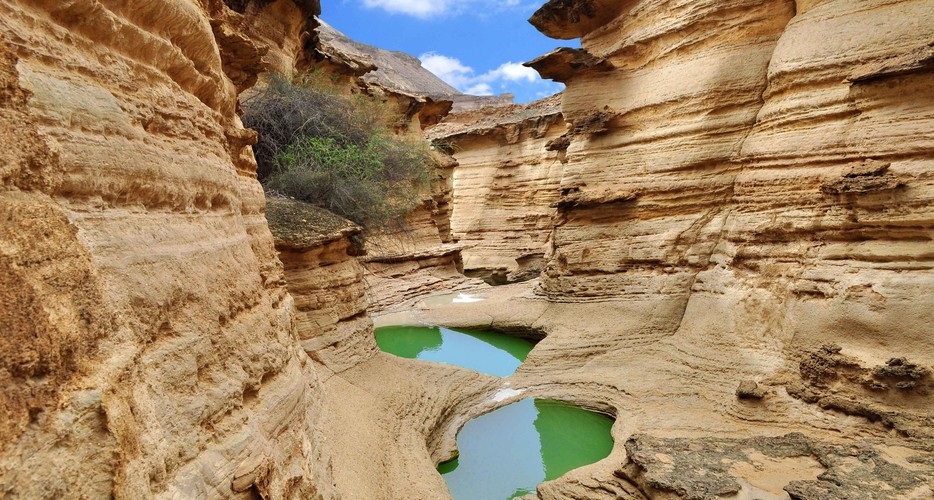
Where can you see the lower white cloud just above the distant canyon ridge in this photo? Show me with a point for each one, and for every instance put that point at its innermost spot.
(465, 79)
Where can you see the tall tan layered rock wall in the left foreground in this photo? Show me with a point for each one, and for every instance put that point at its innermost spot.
(148, 347)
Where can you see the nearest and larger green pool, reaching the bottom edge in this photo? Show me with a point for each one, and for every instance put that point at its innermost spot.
(508, 452)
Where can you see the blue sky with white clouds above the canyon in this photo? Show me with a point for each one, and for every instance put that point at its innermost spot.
(477, 46)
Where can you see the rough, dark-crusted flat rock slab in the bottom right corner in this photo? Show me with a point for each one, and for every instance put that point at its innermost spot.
(702, 468)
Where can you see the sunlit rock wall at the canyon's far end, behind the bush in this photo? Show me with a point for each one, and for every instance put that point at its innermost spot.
(505, 185)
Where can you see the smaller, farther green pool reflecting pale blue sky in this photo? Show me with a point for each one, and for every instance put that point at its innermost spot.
(485, 352)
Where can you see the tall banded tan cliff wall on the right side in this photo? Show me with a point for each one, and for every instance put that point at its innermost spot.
(740, 149)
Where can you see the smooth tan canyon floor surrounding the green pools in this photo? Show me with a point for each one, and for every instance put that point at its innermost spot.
(683, 429)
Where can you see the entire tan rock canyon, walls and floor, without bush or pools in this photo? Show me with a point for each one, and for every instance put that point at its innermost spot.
(721, 231)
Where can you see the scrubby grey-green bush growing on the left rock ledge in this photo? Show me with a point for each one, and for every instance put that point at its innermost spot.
(336, 152)
